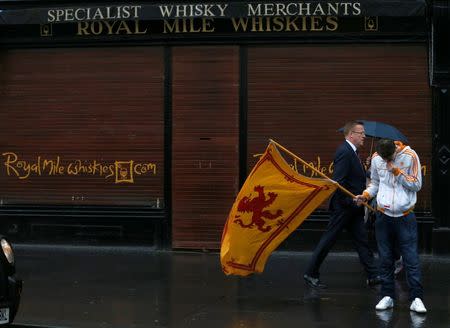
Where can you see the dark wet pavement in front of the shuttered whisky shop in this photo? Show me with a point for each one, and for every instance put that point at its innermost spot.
(125, 287)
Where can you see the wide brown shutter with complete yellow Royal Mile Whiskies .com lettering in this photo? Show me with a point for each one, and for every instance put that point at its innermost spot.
(82, 106)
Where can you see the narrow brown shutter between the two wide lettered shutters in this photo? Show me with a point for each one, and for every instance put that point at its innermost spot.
(205, 143)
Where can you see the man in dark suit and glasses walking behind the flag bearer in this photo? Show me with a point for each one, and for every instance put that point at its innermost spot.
(345, 213)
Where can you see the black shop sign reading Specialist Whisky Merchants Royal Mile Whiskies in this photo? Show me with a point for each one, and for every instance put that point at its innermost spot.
(210, 20)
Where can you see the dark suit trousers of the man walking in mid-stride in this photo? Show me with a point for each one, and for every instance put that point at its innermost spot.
(352, 219)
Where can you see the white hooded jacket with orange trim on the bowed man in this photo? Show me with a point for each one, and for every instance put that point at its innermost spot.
(396, 188)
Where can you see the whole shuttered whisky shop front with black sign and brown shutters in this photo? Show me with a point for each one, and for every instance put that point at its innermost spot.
(140, 122)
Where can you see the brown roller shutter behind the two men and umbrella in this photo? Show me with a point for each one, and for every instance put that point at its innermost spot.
(300, 96)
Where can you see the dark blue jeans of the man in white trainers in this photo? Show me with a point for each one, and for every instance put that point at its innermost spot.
(403, 231)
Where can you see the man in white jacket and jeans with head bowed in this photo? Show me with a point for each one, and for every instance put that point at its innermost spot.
(395, 180)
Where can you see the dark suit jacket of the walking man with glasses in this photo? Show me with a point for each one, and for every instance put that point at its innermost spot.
(349, 173)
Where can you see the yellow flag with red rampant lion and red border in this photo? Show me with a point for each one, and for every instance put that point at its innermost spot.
(273, 202)
